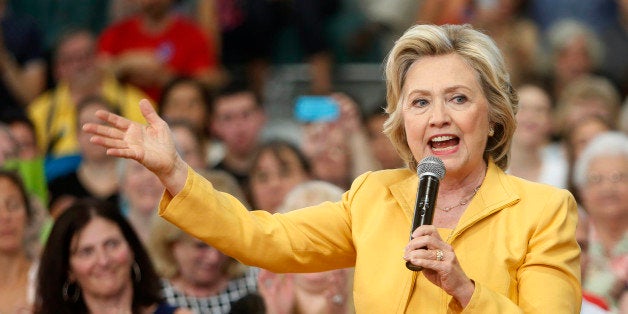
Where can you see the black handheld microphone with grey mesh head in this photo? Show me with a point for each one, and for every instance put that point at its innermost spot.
(430, 170)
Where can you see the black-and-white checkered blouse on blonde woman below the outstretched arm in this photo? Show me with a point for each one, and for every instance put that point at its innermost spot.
(217, 304)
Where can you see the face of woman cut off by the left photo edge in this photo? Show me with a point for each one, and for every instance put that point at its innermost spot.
(13, 217)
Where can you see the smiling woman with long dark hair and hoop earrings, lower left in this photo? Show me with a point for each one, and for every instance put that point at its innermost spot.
(94, 262)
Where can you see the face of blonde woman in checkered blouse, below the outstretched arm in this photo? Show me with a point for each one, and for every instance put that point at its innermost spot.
(198, 263)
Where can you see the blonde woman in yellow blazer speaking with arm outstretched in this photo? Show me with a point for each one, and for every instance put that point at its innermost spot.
(497, 244)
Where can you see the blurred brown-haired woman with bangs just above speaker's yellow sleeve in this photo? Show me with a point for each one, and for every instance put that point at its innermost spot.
(277, 167)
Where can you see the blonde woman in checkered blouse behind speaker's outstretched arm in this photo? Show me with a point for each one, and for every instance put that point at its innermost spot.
(195, 275)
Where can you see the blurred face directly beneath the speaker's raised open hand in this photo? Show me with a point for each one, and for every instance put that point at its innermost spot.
(142, 188)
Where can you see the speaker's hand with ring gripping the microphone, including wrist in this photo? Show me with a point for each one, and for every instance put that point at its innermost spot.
(440, 265)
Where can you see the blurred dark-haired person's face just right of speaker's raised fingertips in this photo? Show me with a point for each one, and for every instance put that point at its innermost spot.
(185, 102)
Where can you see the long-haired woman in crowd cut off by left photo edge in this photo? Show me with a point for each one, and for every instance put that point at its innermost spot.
(17, 261)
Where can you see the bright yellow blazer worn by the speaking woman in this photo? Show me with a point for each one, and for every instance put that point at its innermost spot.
(516, 241)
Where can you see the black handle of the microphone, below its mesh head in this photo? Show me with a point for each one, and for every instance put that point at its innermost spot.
(424, 208)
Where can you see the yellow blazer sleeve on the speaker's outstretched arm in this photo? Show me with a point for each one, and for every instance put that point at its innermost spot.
(311, 239)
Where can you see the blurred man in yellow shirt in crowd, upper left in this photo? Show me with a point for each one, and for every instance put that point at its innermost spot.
(77, 75)
